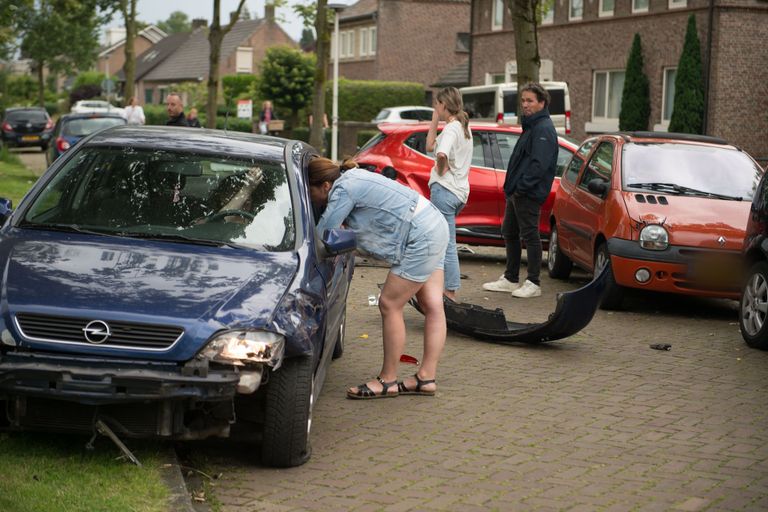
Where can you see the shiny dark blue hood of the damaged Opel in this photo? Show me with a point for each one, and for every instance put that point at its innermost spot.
(199, 289)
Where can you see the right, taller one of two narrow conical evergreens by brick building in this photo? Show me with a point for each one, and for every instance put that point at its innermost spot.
(688, 107)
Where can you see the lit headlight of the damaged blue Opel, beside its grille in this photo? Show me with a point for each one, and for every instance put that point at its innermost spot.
(241, 347)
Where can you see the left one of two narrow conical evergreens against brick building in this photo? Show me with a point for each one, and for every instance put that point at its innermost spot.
(635, 98)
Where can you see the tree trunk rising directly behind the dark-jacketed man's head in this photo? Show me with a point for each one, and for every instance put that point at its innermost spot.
(526, 41)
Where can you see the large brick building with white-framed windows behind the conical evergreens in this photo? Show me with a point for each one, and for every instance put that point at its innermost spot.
(586, 43)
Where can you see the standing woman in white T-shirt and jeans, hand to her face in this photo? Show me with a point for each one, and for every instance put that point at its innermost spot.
(449, 179)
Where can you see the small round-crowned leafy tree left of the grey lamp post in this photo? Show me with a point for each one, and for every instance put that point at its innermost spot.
(287, 77)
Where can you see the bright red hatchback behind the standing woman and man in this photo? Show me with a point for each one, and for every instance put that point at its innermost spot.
(399, 150)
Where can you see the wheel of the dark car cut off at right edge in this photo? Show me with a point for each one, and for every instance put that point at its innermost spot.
(753, 322)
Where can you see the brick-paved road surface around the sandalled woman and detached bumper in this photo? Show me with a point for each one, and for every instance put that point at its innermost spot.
(598, 421)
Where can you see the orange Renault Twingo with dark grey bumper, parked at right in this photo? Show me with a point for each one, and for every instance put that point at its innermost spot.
(666, 211)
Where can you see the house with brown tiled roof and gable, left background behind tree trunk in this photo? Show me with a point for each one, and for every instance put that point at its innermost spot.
(185, 58)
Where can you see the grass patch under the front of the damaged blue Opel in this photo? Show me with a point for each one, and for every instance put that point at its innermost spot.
(57, 474)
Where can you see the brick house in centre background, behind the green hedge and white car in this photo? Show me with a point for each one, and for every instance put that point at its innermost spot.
(402, 40)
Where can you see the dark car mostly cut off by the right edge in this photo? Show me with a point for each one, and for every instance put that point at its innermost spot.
(753, 307)
